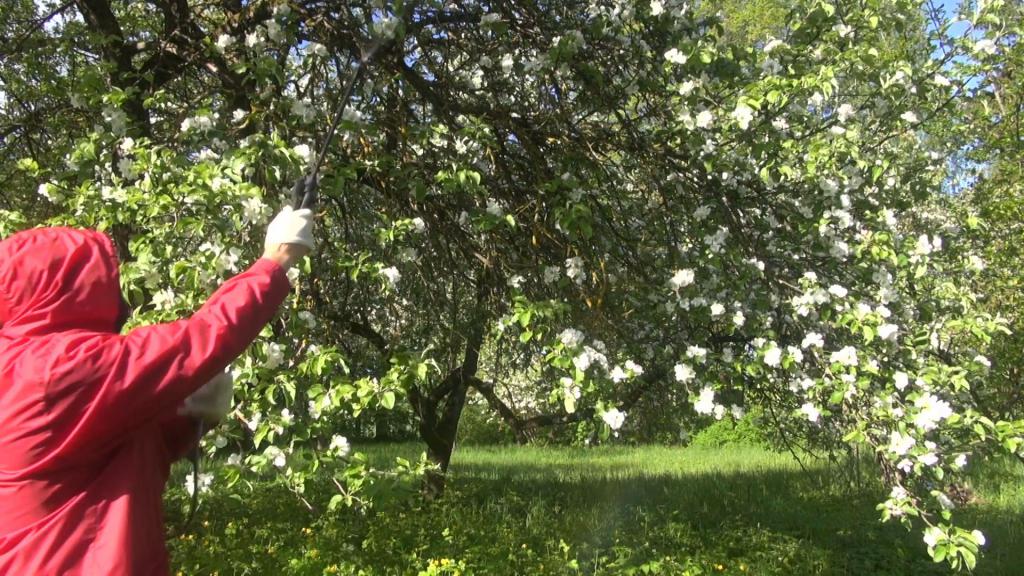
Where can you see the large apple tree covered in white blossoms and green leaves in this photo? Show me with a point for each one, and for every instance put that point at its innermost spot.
(590, 198)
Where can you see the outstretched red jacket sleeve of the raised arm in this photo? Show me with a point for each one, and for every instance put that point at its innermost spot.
(150, 372)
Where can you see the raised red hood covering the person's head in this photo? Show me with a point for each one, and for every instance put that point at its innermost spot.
(59, 279)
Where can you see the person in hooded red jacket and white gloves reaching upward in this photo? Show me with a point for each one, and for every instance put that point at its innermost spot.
(92, 420)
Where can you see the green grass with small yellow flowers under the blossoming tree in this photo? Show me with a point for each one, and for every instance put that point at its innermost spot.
(607, 511)
